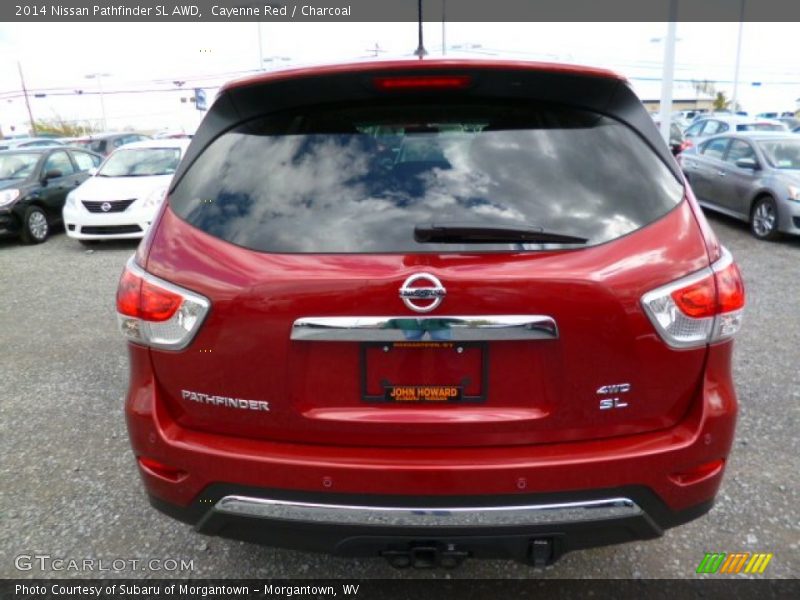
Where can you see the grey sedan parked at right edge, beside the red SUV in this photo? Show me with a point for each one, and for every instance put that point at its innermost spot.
(752, 176)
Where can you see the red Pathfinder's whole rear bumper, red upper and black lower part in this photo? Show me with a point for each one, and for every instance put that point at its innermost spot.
(643, 483)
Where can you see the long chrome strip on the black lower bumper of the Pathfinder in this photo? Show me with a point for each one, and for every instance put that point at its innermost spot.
(477, 516)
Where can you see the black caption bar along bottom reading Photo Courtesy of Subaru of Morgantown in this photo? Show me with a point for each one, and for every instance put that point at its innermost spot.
(418, 589)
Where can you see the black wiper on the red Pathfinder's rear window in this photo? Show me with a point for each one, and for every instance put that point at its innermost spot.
(489, 234)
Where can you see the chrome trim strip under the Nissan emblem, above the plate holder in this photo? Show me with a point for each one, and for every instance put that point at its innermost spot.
(444, 328)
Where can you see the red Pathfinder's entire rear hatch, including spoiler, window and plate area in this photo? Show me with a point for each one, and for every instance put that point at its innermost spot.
(423, 257)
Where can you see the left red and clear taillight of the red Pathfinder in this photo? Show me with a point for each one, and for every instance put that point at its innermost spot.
(156, 313)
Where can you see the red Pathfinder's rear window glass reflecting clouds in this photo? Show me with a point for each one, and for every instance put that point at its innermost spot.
(359, 179)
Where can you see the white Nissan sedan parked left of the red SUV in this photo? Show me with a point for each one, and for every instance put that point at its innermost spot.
(121, 199)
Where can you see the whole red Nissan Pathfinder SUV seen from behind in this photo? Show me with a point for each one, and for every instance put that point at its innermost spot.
(496, 344)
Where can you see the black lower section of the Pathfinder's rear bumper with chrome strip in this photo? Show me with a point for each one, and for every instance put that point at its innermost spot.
(506, 527)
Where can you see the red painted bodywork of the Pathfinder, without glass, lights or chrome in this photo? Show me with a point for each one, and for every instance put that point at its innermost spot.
(538, 429)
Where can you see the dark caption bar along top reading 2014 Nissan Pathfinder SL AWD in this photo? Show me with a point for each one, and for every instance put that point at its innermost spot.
(399, 10)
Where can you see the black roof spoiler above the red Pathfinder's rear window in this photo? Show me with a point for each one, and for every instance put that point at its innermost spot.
(597, 90)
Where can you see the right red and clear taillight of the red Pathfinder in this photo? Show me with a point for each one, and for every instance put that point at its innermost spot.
(703, 308)
